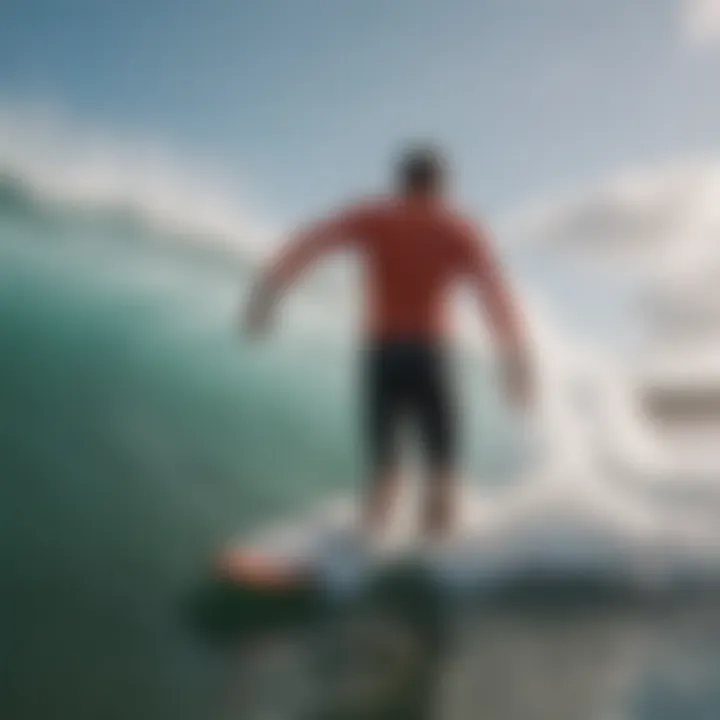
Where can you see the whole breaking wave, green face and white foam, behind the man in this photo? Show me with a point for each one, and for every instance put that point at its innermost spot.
(138, 434)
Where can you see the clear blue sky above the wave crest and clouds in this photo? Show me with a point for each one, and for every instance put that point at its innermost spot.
(305, 99)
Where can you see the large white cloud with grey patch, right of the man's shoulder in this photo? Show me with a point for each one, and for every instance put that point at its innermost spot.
(659, 228)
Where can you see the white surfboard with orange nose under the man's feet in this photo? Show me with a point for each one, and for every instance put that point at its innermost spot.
(318, 561)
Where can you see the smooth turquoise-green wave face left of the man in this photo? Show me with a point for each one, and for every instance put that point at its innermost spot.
(137, 433)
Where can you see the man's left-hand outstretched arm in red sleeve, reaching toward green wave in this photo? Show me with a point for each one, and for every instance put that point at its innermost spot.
(301, 250)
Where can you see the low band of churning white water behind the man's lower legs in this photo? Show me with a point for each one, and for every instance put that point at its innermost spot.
(548, 535)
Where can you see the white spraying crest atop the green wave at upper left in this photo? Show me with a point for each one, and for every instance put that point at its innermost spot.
(53, 170)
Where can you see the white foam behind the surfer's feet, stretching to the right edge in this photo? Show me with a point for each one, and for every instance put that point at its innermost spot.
(558, 523)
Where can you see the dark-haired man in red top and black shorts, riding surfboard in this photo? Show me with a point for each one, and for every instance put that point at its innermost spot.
(415, 246)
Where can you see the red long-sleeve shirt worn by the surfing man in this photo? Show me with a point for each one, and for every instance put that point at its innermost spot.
(414, 249)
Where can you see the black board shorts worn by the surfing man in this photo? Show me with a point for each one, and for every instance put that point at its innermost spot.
(409, 381)
